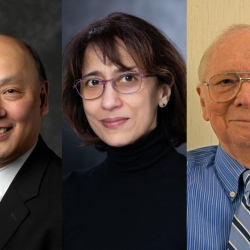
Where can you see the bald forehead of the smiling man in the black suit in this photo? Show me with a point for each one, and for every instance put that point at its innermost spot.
(15, 60)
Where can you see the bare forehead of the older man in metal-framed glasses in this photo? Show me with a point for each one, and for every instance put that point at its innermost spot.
(230, 54)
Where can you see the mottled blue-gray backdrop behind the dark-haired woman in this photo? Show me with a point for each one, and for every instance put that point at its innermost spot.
(168, 15)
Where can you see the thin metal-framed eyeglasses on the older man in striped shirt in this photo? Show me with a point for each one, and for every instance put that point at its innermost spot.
(225, 86)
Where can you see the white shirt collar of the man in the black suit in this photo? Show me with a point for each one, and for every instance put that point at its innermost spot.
(8, 173)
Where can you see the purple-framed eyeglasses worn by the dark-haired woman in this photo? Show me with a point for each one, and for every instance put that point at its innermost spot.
(90, 88)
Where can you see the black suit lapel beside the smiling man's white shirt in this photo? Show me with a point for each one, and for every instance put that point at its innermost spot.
(25, 186)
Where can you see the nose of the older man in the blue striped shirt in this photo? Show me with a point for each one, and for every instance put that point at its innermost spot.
(243, 96)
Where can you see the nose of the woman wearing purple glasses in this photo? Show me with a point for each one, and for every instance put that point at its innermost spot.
(110, 97)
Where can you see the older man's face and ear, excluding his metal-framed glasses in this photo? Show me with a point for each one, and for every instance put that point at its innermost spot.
(230, 120)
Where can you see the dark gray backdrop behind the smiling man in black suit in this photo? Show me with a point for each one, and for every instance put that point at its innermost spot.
(38, 23)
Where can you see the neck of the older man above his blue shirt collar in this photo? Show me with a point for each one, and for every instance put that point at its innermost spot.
(239, 153)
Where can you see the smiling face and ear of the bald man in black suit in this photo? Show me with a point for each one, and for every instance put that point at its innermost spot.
(23, 100)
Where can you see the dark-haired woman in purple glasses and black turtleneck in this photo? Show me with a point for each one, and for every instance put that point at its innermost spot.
(128, 99)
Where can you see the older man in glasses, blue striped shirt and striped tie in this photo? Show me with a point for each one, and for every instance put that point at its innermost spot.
(218, 176)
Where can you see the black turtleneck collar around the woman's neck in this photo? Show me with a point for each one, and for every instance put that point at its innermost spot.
(139, 159)
